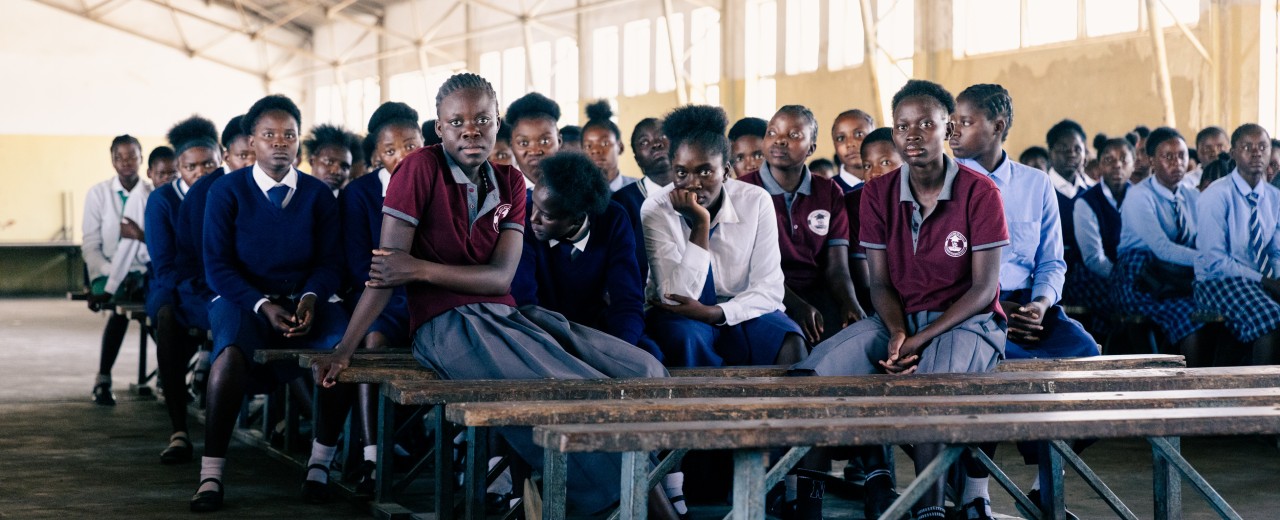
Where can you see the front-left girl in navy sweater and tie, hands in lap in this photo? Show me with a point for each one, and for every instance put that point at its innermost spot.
(272, 257)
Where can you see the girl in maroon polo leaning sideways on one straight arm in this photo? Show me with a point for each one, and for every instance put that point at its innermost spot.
(452, 234)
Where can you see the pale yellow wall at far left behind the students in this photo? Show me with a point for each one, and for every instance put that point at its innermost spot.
(36, 171)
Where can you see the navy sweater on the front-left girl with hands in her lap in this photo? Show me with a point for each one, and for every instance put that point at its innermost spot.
(254, 249)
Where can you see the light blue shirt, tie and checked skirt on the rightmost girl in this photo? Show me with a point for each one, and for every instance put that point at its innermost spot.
(1238, 245)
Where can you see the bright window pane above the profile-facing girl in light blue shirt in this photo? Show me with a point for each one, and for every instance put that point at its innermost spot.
(988, 26)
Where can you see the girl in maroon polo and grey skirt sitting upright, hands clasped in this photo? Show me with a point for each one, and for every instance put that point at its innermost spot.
(934, 232)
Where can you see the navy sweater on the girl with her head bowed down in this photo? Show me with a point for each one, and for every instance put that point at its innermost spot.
(602, 289)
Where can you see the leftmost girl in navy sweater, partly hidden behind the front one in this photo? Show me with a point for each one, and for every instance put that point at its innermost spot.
(195, 143)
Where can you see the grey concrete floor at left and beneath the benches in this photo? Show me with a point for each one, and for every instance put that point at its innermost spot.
(62, 457)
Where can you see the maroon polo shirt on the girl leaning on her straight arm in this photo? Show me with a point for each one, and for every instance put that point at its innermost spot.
(452, 223)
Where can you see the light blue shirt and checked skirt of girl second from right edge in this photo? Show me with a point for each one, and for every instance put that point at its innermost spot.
(1151, 230)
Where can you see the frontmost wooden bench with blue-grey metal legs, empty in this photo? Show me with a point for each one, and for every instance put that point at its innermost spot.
(751, 440)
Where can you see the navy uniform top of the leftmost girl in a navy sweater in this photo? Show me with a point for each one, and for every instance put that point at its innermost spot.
(161, 225)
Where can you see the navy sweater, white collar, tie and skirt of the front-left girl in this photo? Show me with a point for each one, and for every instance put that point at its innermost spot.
(269, 241)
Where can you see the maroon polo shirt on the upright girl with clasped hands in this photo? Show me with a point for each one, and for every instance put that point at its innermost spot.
(931, 261)
